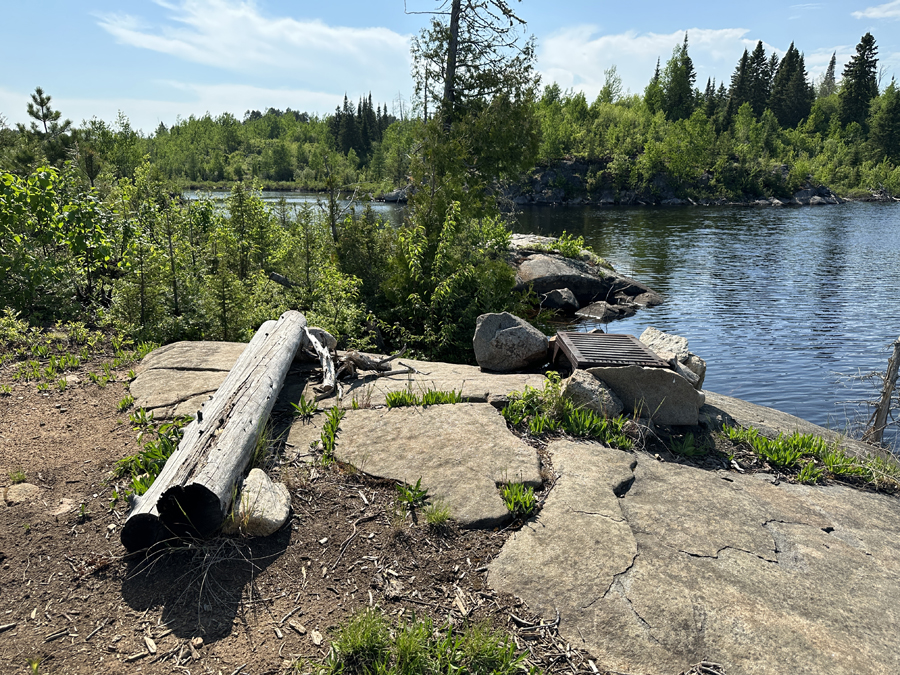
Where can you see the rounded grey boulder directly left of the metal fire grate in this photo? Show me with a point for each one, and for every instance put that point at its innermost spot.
(504, 342)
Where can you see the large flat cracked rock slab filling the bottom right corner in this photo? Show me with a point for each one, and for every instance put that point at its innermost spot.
(689, 564)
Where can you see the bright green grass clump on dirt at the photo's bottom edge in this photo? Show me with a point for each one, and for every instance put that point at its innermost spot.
(368, 645)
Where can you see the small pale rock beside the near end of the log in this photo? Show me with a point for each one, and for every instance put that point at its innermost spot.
(262, 507)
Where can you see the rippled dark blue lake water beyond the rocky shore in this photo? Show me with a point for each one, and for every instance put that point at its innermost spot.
(783, 304)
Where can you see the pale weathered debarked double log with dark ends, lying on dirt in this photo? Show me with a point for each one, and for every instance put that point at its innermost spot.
(192, 494)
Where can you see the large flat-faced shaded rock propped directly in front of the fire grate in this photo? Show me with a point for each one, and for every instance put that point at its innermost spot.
(662, 395)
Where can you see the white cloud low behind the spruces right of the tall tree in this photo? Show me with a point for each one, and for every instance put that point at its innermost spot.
(577, 56)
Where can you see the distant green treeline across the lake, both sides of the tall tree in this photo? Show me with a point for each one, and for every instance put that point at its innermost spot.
(770, 130)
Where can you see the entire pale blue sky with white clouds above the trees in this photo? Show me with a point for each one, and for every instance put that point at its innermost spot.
(158, 59)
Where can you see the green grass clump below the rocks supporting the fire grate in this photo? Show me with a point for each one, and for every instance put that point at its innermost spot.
(541, 412)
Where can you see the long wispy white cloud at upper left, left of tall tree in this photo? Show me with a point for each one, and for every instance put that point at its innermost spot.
(234, 35)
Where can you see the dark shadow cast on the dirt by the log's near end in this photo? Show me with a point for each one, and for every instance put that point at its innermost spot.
(202, 585)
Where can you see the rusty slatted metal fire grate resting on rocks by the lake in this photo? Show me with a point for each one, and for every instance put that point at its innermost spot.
(593, 350)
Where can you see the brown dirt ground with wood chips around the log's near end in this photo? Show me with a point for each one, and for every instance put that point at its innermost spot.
(72, 598)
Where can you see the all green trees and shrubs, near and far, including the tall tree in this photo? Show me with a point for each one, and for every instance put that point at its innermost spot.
(94, 225)
